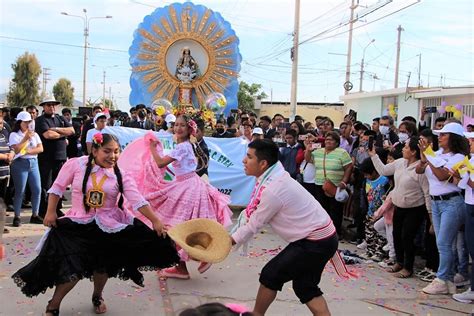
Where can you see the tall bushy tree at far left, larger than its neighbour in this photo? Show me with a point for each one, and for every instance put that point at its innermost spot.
(24, 89)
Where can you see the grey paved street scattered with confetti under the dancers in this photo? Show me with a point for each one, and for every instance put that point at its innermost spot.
(235, 280)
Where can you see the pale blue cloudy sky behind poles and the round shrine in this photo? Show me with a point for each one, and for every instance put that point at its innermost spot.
(441, 31)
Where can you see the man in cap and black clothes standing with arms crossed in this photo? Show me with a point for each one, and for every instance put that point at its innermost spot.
(53, 130)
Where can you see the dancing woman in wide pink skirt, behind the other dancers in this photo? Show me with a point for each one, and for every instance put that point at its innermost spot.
(188, 196)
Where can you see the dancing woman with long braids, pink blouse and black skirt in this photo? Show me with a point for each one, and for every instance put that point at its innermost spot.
(96, 238)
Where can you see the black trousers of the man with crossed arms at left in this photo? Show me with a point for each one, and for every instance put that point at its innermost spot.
(49, 170)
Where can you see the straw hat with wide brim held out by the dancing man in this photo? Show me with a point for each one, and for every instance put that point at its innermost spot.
(202, 239)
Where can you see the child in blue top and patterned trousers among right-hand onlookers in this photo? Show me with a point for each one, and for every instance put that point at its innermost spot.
(376, 188)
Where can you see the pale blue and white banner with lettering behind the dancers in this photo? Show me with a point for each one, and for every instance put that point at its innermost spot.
(226, 171)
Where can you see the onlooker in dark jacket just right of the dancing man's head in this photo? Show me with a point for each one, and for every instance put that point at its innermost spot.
(292, 155)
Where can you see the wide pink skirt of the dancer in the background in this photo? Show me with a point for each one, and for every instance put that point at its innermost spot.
(185, 198)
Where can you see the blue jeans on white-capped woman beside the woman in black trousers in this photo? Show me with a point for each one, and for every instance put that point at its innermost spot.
(448, 216)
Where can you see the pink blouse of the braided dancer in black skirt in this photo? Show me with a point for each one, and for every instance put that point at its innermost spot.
(110, 218)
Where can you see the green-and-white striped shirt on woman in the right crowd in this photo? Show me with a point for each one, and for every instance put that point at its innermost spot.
(335, 162)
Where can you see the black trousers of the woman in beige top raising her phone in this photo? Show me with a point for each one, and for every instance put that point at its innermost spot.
(406, 222)
